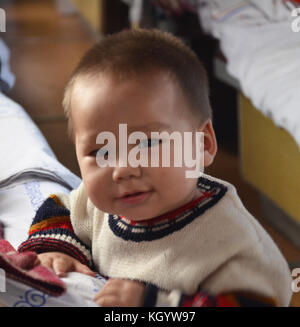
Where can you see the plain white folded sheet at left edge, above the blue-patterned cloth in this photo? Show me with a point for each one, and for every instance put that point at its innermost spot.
(24, 151)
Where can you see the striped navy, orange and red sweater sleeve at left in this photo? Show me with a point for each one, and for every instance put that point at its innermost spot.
(51, 230)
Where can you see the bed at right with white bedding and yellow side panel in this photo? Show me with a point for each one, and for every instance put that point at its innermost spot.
(262, 54)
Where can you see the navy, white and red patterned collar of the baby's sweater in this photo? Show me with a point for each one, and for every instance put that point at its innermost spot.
(158, 227)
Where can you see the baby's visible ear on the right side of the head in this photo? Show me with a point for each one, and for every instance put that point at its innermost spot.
(210, 142)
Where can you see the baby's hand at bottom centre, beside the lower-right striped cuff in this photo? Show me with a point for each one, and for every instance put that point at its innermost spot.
(121, 293)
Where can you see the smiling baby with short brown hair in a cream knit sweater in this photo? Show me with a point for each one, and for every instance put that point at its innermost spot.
(160, 238)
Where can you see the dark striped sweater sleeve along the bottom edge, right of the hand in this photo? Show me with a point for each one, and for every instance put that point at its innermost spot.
(154, 297)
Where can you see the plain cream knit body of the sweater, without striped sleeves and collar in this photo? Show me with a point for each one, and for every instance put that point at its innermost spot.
(224, 249)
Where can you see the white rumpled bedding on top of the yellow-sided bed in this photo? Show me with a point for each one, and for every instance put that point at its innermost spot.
(263, 54)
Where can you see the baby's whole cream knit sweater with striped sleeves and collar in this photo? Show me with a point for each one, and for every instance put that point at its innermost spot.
(210, 252)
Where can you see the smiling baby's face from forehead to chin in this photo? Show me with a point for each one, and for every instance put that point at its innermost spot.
(146, 104)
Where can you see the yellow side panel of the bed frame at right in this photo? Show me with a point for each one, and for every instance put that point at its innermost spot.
(270, 161)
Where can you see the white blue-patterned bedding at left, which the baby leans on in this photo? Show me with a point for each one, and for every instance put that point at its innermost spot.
(29, 173)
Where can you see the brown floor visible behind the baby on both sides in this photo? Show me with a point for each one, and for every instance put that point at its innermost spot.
(45, 48)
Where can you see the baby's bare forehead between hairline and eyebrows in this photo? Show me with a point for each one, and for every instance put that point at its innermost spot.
(102, 102)
